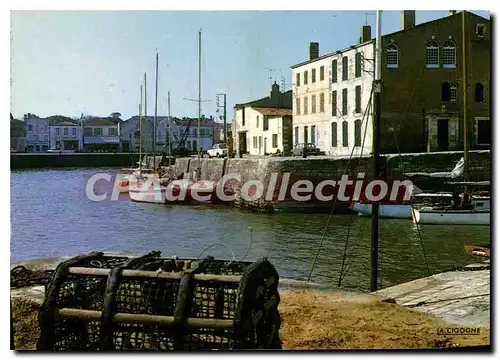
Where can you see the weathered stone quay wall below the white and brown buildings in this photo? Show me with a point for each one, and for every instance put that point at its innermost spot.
(317, 169)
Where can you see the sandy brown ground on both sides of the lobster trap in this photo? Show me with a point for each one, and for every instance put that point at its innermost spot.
(319, 320)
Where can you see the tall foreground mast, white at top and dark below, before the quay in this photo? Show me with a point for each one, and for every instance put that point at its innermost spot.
(376, 157)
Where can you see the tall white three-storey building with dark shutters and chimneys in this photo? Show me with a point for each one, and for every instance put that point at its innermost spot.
(331, 94)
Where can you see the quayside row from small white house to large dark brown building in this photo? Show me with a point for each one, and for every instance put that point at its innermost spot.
(422, 99)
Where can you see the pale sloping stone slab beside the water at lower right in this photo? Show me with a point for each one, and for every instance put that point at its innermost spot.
(459, 297)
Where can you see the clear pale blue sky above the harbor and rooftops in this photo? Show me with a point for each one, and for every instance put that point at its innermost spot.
(92, 62)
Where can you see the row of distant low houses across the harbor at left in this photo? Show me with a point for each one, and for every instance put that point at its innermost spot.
(35, 134)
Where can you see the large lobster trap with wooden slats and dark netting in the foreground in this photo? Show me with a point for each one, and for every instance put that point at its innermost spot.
(105, 303)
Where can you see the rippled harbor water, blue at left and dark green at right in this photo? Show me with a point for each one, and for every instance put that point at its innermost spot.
(51, 216)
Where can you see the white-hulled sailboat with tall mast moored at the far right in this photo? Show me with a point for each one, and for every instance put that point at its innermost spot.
(471, 210)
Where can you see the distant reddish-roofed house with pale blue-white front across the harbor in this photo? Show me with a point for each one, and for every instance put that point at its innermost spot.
(100, 135)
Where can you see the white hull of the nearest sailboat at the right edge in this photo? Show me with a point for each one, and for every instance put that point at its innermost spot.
(451, 217)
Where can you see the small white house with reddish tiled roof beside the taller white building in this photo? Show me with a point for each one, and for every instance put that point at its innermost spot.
(263, 126)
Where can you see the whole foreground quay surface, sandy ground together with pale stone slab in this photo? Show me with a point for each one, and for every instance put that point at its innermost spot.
(316, 316)
